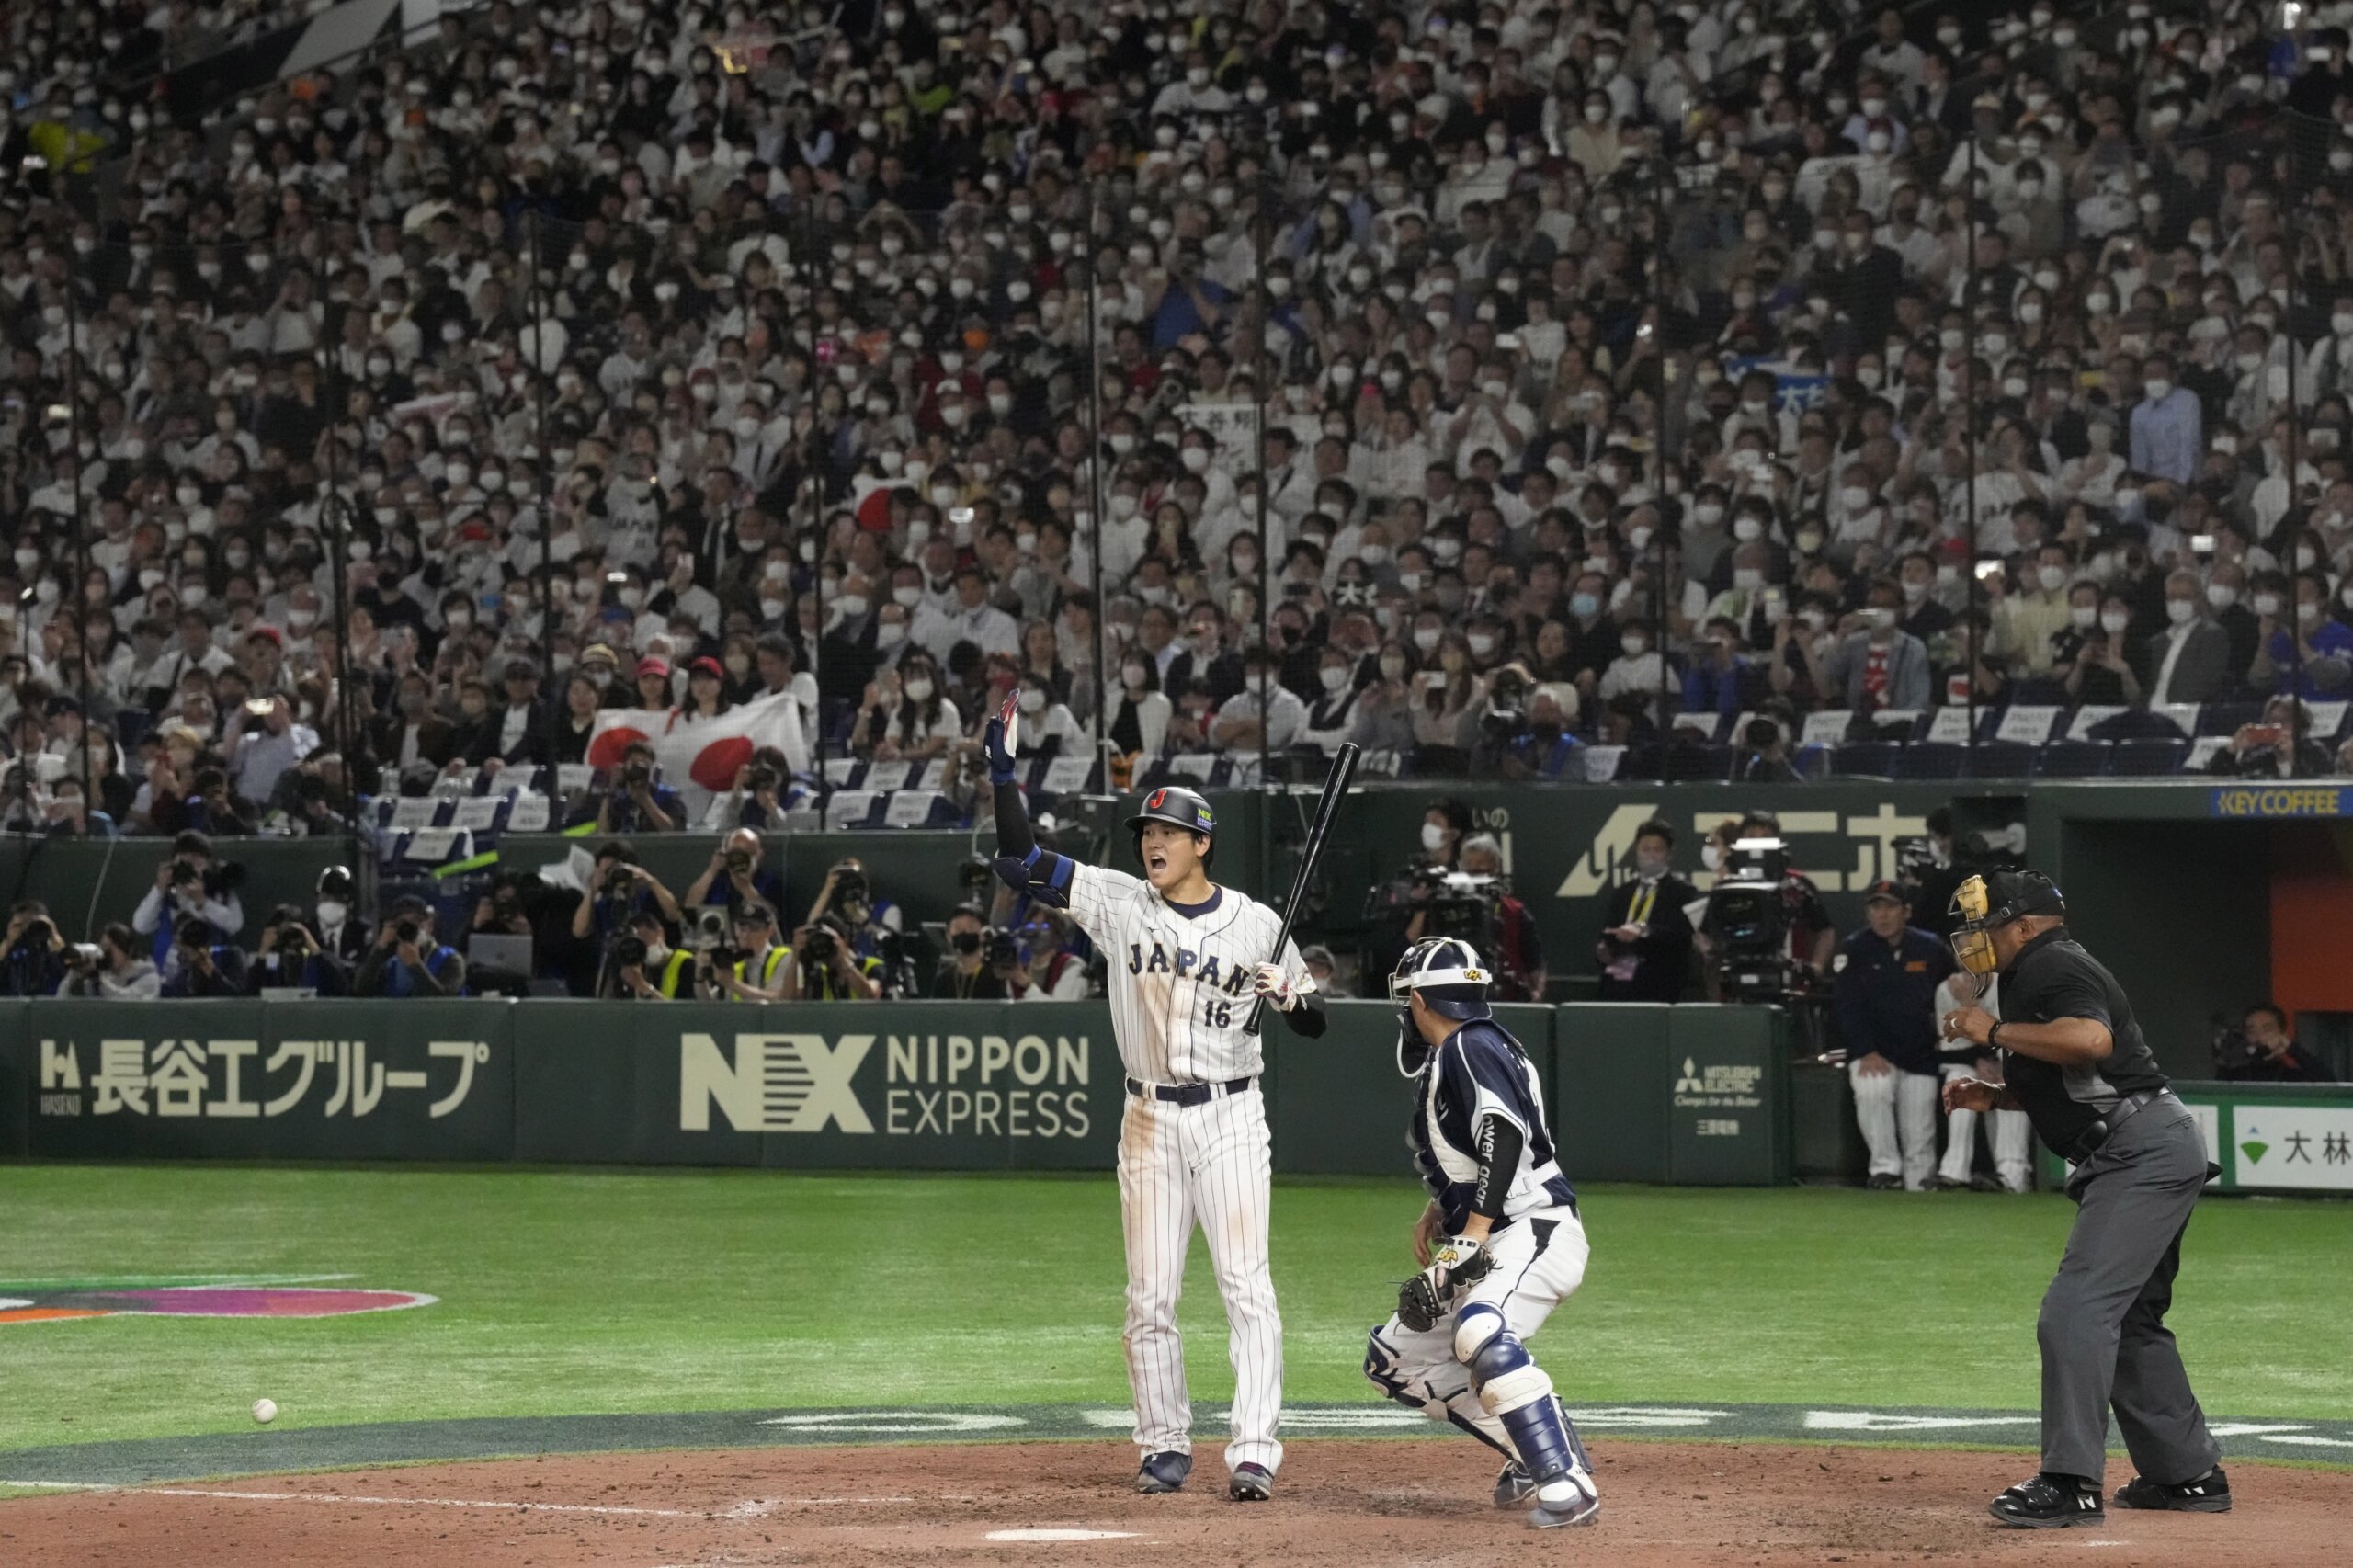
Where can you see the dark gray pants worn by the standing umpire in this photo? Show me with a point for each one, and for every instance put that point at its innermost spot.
(2102, 1327)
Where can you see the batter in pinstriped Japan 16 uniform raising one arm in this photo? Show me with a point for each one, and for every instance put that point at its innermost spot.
(1187, 959)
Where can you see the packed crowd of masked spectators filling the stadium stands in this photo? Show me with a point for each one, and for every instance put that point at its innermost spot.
(1639, 383)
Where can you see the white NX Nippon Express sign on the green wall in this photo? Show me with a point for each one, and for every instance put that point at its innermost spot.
(992, 1087)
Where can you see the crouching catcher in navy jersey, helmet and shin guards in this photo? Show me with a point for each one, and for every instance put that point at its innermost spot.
(1500, 1240)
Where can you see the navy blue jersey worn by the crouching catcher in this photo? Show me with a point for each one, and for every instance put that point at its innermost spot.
(1477, 1075)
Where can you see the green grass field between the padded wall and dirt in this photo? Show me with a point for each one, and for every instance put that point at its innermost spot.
(714, 1291)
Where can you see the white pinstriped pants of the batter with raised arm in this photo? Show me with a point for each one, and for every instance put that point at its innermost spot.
(1182, 1167)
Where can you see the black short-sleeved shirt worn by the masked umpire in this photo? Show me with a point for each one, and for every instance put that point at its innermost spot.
(2053, 978)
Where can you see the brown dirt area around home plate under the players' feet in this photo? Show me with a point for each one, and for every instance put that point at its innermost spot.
(1340, 1503)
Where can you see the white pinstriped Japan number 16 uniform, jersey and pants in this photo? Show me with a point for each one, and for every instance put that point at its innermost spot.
(1180, 992)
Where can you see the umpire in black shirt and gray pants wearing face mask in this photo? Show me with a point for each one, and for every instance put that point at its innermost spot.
(2077, 1063)
